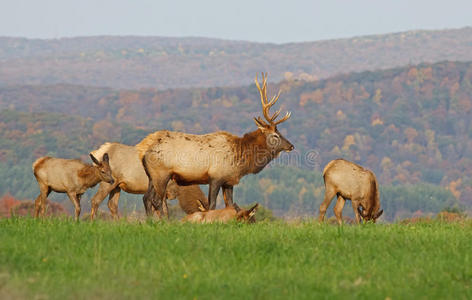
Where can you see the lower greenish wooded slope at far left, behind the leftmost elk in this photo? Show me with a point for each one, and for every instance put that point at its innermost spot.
(25, 137)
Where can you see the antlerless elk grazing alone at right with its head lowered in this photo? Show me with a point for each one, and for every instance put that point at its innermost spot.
(348, 180)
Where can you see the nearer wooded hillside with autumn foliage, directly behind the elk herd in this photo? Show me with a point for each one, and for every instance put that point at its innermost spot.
(410, 125)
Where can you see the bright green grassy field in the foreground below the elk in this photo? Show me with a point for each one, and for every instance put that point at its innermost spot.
(57, 259)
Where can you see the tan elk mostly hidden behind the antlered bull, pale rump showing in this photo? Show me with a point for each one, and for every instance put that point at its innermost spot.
(129, 175)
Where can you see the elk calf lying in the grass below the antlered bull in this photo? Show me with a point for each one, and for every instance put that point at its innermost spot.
(232, 212)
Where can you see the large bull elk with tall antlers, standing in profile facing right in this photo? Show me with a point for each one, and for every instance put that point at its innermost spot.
(219, 159)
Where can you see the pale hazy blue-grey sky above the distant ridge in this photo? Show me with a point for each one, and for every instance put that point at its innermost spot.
(265, 21)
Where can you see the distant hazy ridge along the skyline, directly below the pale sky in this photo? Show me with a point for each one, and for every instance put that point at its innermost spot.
(132, 62)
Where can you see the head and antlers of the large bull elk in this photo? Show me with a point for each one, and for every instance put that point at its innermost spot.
(274, 139)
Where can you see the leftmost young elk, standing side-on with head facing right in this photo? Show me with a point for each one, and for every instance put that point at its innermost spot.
(69, 176)
